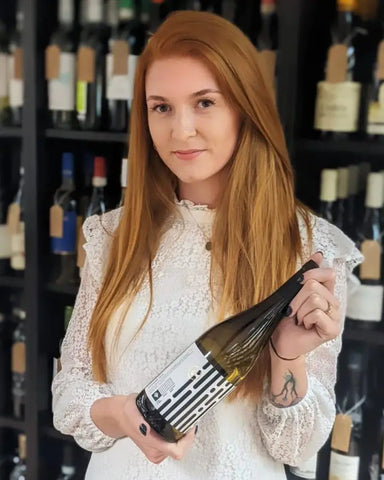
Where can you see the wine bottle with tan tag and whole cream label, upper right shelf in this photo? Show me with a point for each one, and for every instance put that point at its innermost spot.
(338, 96)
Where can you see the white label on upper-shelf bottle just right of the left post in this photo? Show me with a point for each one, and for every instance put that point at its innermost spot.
(61, 91)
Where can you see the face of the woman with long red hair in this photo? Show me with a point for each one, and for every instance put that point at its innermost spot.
(193, 128)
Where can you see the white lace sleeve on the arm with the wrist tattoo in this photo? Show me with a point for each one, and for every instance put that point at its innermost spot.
(294, 434)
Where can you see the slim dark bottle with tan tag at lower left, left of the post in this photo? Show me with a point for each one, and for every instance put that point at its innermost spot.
(19, 362)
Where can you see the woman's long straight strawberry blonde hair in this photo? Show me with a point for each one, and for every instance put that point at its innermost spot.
(255, 238)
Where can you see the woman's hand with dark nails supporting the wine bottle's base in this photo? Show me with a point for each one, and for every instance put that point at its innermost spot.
(154, 447)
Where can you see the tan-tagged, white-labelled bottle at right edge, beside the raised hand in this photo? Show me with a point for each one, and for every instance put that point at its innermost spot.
(365, 305)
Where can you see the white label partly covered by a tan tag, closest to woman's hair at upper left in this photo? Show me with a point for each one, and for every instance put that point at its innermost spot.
(120, 87)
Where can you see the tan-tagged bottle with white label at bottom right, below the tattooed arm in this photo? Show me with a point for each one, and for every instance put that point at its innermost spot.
(346, 443)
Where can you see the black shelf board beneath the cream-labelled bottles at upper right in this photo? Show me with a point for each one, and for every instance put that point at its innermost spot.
(326, 147)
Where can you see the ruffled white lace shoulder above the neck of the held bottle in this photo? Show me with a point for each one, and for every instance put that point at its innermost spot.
(328, 239)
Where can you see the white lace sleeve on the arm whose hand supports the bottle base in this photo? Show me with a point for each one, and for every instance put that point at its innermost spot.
(73, 389)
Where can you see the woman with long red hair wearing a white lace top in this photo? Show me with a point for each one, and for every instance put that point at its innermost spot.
(209, 227)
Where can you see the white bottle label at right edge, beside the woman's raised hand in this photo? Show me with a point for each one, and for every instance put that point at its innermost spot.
(365, 303)
